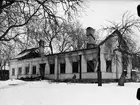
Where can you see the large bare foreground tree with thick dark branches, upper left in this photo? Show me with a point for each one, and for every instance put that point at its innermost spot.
(17, 16)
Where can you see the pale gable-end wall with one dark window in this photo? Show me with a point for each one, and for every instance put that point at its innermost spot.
(108, 52)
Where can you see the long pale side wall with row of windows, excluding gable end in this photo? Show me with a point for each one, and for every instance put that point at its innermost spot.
(69, 57)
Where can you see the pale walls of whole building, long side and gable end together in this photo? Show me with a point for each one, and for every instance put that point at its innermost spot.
(115, 74)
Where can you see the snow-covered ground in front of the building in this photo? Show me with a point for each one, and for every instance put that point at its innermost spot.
(17, 92)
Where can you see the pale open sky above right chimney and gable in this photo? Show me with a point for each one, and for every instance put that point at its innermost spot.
(97, 13)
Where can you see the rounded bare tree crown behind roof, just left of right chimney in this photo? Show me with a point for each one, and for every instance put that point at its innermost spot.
(72, 37)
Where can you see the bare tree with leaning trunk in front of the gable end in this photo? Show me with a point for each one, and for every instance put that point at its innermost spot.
(126, 28)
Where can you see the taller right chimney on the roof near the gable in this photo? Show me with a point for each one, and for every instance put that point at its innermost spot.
(90, 37)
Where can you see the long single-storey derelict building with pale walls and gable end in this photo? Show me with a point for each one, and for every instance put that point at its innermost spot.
(82, 63)
